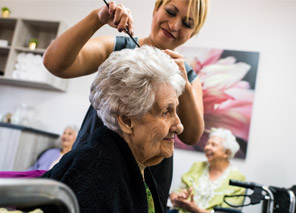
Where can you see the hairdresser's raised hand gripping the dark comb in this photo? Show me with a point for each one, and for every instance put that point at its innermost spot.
(116, 16)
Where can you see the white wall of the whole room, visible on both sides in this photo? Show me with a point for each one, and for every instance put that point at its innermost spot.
(266, 26)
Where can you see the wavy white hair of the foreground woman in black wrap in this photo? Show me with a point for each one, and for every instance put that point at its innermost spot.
(127, 80)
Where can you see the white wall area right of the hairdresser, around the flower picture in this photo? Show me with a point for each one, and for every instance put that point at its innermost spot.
(266, 27)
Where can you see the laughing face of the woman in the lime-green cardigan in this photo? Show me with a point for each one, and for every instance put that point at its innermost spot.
(214, 149)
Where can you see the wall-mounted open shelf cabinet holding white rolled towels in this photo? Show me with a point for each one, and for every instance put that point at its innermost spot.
(22, 66)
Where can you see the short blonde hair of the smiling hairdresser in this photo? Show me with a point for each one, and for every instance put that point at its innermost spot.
(198, 7)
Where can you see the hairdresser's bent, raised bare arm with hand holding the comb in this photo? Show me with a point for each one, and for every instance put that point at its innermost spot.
(74, 54)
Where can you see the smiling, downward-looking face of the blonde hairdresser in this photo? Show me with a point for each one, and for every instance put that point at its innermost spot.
(170, 27)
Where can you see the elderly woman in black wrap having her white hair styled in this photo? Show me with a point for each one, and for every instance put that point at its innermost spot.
(136, 95)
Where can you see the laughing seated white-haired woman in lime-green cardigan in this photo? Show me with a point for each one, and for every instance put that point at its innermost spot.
(205, 184)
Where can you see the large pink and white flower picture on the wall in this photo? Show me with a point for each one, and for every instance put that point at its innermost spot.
(228, 81)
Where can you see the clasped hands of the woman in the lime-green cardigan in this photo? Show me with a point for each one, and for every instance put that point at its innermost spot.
(184, 200)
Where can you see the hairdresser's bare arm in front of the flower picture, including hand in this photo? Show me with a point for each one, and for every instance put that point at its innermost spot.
(190, 108)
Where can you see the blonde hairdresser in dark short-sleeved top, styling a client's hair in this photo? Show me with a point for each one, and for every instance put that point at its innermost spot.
(75, 54)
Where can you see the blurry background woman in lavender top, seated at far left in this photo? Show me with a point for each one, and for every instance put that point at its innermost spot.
(52, 156)
